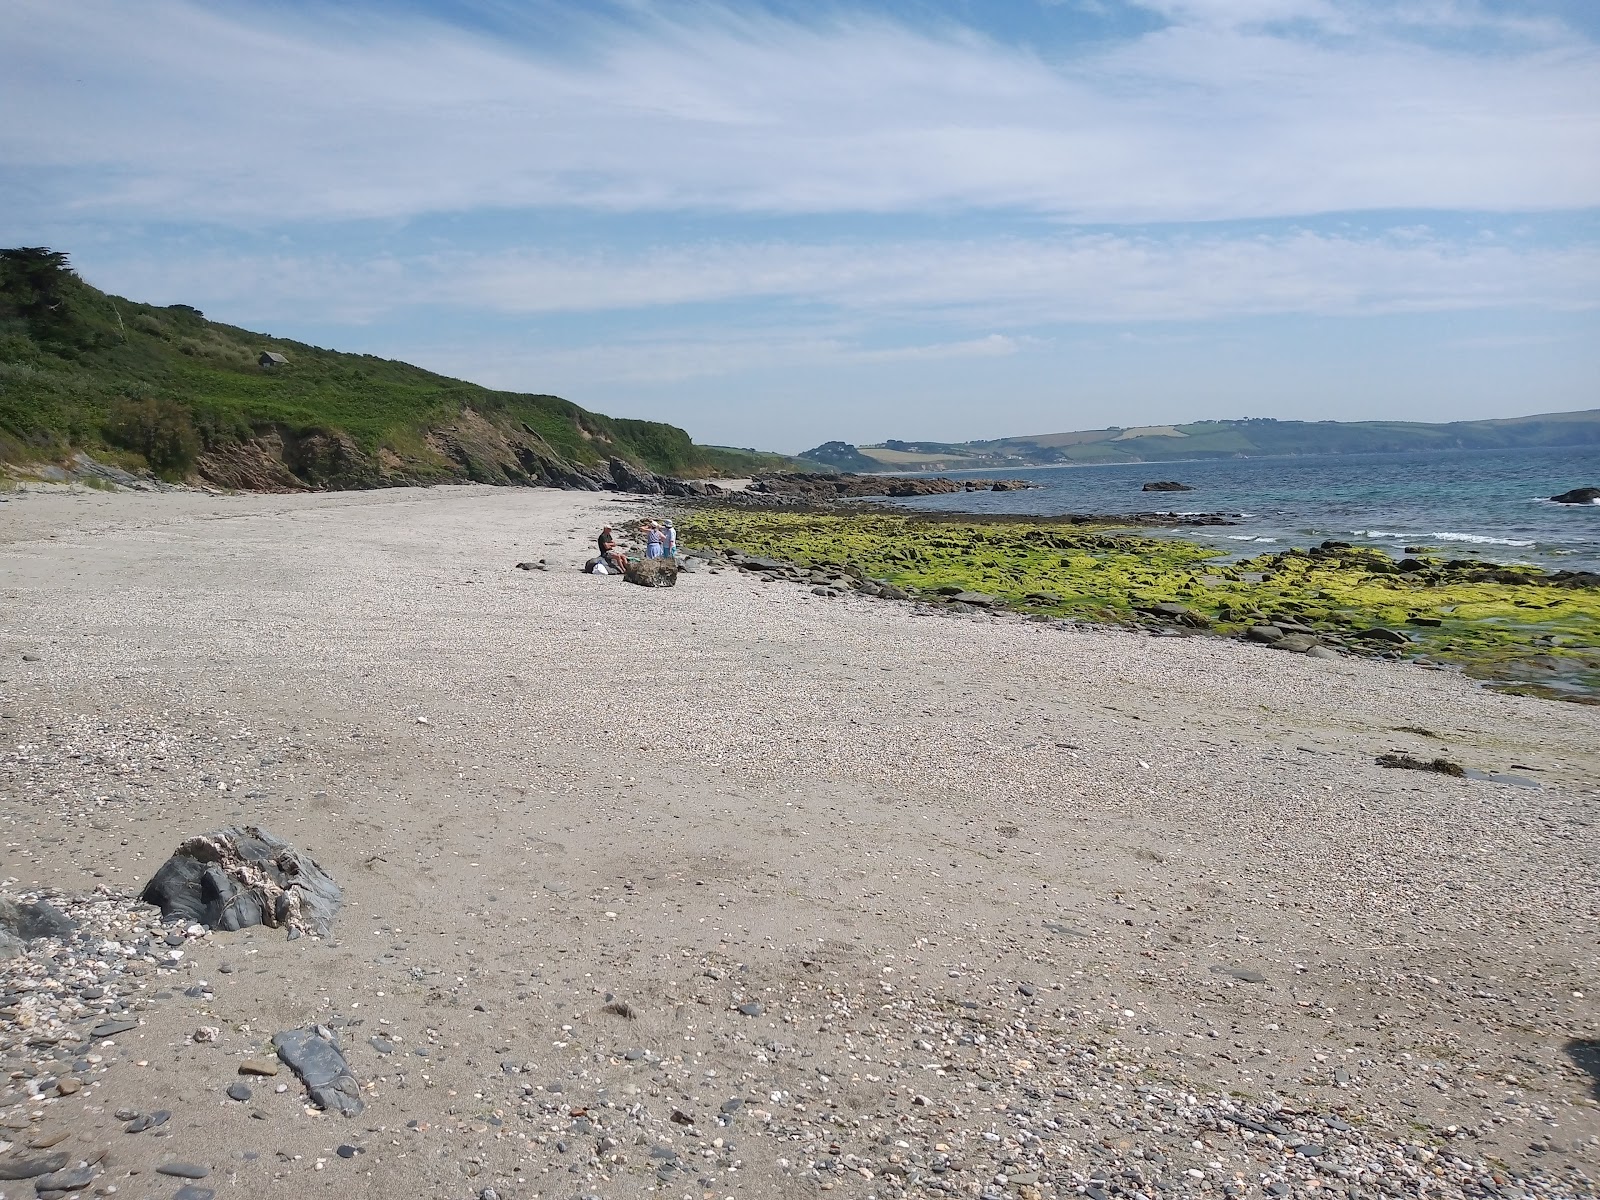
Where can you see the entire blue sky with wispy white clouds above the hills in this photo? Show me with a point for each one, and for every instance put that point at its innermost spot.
(788, 223)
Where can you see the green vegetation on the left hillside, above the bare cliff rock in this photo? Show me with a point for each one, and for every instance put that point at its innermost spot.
(73, 359)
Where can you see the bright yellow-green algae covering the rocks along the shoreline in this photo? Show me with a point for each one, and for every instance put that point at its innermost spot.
(1513, 626)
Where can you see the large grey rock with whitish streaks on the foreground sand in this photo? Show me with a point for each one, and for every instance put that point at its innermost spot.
(244, 876)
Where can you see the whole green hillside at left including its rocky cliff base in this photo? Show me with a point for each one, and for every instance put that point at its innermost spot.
(167, 390)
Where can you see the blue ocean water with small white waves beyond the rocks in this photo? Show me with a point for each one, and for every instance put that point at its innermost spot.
(1474, 503)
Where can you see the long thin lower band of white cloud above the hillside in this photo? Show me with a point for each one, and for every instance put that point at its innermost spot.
(972, 284)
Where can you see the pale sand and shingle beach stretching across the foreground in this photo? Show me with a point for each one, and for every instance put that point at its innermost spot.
(857, 815)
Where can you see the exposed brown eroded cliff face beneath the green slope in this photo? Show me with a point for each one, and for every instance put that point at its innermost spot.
(471, 449)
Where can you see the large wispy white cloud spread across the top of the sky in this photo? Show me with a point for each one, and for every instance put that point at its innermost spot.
(177, 111)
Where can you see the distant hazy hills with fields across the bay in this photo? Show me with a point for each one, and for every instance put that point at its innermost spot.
(1255, 438)
